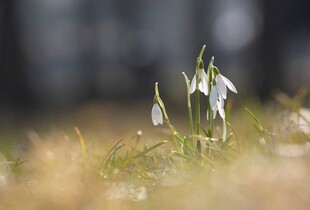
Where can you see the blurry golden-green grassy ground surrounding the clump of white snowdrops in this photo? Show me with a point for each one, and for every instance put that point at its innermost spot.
(46, 168)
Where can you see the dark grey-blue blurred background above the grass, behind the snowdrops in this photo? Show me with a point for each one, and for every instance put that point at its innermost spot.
(58, 54)
